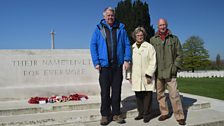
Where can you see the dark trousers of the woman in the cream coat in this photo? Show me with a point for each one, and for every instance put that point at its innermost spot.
(144, 102)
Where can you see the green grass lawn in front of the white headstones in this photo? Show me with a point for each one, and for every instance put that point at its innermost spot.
(208, 87)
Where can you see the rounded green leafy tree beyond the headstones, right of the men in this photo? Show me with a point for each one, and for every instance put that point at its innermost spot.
(195, 56)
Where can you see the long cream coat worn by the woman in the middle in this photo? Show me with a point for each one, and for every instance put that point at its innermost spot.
(143, 62)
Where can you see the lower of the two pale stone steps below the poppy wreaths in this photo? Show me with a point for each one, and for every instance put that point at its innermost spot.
(60, 117)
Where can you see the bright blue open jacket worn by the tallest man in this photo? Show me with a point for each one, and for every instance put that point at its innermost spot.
(98, 45)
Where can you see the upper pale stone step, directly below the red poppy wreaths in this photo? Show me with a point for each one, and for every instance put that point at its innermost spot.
(128, 102)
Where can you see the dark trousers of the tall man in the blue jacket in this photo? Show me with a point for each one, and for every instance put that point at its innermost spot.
(110, 80)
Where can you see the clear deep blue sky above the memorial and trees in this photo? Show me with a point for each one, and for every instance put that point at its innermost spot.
(26, 24)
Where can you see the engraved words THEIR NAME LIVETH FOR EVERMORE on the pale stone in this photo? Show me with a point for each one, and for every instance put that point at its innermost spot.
(53, 67)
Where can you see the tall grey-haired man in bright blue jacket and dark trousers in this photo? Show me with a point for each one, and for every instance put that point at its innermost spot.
(110, 51)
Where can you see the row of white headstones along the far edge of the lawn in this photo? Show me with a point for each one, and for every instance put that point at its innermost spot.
(200, 74)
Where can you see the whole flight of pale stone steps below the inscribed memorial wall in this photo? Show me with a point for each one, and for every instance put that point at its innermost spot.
(80, 113)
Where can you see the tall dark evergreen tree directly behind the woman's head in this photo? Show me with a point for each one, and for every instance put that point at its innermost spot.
(133, 15)
